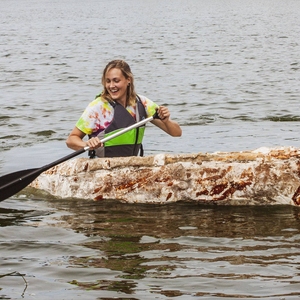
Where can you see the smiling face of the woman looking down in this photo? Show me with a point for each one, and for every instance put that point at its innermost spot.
(116, 85)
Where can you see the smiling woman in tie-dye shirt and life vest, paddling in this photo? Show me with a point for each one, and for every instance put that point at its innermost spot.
(118, 106)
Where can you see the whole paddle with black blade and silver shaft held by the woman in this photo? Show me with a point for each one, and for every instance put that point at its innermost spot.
(12, 183)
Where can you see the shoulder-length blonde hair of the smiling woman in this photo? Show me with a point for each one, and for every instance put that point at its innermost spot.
(126, 71)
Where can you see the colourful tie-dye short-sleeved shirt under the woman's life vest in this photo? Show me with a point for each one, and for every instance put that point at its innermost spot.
(99, 114)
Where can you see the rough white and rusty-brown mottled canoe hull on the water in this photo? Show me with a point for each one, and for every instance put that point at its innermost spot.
(263, 176)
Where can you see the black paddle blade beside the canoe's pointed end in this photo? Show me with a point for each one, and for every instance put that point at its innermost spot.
(12, 183)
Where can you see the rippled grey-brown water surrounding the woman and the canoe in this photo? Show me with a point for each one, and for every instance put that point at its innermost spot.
(229, 73)
